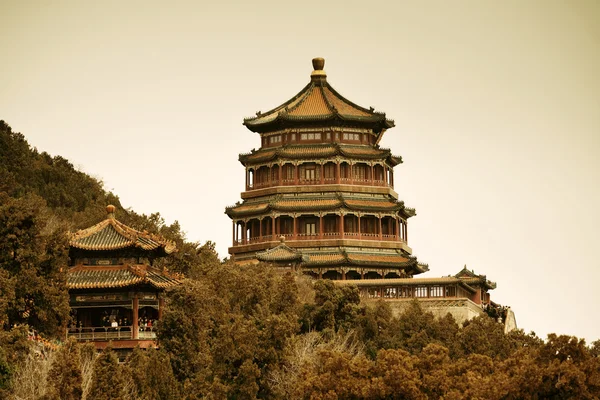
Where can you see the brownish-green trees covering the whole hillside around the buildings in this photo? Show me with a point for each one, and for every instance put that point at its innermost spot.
(241, 332)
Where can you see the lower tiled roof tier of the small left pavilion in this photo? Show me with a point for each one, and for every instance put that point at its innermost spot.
(88, 277)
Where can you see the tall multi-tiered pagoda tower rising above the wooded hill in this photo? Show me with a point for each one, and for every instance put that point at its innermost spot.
(320, 190)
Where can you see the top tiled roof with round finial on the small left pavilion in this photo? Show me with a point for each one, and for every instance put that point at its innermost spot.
(112, 234)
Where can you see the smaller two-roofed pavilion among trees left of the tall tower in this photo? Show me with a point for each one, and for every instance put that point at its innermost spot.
(116, 292)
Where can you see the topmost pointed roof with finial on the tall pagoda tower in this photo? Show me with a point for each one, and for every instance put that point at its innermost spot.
(318, 104)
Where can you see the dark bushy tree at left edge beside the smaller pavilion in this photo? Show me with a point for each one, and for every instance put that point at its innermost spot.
(33, 256)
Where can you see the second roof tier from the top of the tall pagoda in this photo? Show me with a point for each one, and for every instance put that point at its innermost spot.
(324, 150)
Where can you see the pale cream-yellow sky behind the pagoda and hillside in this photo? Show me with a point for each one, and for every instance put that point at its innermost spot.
(496, 104)
